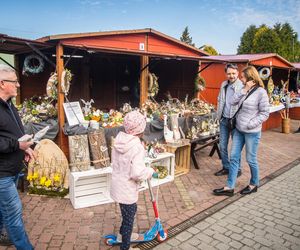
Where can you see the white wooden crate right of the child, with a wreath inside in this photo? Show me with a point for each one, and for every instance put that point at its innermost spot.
(163, 159)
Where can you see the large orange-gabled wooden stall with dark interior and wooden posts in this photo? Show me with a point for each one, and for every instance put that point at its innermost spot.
(111, 67)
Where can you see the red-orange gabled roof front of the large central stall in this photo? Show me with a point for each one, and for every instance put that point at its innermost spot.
(140, 41)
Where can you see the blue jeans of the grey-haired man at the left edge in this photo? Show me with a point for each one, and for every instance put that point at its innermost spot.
(11, 213)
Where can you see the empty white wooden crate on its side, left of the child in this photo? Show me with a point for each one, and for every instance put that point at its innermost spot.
(90, 188)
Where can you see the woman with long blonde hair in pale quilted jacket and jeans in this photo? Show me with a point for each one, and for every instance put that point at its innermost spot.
(249, 119)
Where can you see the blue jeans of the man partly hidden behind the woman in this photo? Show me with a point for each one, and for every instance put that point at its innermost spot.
(224, 138)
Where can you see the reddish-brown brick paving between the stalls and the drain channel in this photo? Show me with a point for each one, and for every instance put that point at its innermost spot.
(52, 223)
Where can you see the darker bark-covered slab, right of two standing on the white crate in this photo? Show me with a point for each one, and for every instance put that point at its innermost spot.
(99, 149)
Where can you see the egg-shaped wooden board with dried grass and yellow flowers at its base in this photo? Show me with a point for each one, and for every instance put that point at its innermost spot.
(48, 174)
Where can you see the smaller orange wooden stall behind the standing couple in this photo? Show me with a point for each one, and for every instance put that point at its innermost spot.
(212, 70)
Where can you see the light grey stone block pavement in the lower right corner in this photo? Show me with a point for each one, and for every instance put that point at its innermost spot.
(268, 219)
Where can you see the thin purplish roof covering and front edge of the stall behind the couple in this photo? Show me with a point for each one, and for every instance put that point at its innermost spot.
(246, 58)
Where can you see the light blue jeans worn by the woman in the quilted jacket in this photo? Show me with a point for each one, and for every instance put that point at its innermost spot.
(251, 141)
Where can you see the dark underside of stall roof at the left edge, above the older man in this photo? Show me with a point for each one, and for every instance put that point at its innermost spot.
(15, 45)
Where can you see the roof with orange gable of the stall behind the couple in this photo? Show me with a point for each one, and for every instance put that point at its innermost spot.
(265, 59)
